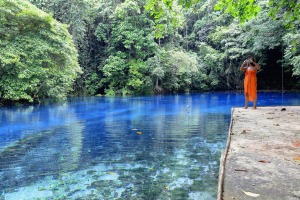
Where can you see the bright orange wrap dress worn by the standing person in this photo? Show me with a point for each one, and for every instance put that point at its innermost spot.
(250, 84)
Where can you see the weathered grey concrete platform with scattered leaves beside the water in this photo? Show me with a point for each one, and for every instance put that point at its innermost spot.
(262, 158)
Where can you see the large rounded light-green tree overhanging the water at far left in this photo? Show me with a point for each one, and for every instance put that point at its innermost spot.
(37, 56)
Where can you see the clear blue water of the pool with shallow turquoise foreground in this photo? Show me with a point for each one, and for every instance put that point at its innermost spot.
(155, 147)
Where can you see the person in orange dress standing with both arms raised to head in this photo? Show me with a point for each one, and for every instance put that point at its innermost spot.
(250, 67)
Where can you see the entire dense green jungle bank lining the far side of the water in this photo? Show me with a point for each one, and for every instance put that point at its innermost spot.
(53, 49)
